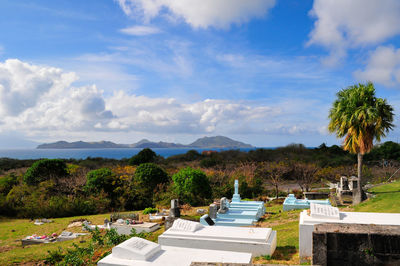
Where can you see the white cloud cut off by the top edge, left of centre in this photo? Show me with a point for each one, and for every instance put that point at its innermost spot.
(199, 14)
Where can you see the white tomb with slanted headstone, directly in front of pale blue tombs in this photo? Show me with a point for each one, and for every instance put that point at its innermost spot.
(183, 233)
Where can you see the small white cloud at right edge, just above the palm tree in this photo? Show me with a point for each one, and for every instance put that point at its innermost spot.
(383, 66)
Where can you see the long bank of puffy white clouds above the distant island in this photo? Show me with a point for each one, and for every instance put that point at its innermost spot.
(39, 99)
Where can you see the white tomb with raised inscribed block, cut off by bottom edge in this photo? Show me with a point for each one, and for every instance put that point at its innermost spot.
(141, 252)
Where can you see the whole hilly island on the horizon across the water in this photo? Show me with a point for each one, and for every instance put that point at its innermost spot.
(206, 142)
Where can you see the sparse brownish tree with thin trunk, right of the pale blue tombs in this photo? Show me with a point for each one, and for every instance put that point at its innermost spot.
(273, 172)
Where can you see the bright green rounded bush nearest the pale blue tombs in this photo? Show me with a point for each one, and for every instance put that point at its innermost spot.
(192, 186)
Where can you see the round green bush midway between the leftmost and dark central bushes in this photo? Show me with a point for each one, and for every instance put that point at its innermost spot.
(100, 179)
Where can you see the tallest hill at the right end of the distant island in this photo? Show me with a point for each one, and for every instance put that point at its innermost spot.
(218, 142)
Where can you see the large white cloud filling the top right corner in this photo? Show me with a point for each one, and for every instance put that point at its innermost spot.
(343, 24)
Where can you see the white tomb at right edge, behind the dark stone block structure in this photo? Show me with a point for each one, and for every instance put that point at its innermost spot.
(320, 214)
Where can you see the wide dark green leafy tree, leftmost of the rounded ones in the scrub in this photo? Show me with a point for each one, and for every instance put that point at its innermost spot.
(44, 170)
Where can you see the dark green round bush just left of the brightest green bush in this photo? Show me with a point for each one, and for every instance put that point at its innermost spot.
(149, 175)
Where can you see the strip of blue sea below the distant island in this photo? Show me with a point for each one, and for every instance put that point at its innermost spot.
(84, 153)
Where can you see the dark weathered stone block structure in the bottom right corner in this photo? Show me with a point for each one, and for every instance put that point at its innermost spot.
(356, 244)
